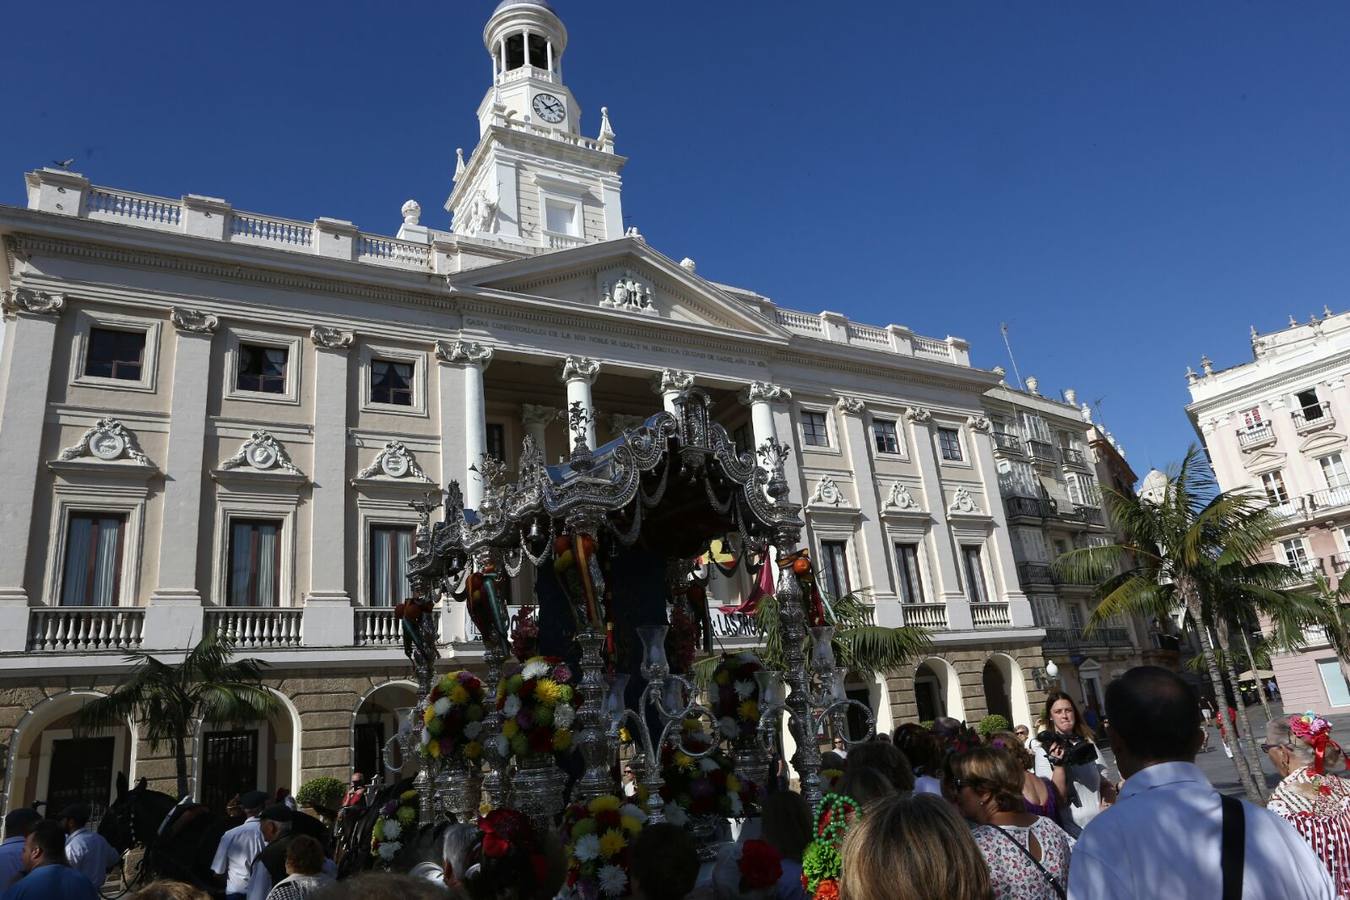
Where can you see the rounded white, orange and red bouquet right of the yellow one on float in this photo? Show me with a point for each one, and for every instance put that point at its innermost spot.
(537, 705)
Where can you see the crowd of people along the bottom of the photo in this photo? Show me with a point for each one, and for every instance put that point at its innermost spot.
(925, 814)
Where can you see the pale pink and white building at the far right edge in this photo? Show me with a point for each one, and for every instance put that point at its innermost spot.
(1279, 426)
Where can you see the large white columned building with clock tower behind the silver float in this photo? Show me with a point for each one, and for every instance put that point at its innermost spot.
(215, 419)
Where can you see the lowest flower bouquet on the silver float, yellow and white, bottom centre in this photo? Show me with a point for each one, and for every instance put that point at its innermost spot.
(599, 837)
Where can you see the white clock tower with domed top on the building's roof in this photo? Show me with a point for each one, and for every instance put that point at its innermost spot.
(534, 179)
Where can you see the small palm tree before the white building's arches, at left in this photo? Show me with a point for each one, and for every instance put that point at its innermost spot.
(172, 698)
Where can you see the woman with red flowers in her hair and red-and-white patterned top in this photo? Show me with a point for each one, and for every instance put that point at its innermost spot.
(1313, 801)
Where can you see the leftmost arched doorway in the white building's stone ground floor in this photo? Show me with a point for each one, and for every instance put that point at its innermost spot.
(52, 762)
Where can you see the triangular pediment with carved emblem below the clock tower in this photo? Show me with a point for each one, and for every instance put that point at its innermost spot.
(622, 277)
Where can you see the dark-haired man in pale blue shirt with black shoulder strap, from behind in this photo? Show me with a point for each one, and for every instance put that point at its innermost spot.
(1163, 837)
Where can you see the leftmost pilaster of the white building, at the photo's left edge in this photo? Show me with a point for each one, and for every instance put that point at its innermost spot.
(30, 337)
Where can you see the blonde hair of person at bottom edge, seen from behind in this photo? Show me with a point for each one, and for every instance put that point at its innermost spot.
(913, 848)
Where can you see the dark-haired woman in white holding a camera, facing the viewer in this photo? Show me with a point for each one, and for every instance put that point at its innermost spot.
(1067, 755)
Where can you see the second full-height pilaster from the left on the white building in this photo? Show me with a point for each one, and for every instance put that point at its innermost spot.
(175, 612)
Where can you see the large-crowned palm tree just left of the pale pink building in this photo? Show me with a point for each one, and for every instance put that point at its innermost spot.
(1185, 544)
